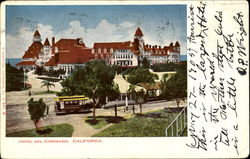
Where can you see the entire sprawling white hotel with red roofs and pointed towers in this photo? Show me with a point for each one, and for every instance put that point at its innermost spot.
(67, 54)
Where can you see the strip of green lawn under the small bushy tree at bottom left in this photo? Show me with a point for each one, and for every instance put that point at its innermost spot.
(60, 130)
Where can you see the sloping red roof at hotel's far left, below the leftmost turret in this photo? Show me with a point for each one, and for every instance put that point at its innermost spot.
(34, 50)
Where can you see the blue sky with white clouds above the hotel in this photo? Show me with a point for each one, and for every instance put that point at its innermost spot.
(160, 24)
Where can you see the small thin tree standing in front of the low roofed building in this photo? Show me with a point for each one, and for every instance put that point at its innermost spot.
(138, 96)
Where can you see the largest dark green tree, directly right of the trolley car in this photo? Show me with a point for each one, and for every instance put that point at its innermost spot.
(95, 81)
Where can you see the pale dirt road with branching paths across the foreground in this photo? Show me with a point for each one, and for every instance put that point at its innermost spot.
(17, 117)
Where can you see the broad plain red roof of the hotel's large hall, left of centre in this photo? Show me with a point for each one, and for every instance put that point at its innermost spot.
(75, 55)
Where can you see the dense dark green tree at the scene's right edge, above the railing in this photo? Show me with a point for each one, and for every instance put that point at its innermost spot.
(175, 87)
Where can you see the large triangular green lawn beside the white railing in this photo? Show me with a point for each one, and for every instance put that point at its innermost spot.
(146, 125)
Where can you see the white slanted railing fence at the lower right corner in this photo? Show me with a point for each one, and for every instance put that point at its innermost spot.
(178, 125)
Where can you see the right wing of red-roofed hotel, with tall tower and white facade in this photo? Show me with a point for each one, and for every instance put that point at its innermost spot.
(130, 54)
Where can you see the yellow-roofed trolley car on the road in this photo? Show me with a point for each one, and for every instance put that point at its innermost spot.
(71, 104)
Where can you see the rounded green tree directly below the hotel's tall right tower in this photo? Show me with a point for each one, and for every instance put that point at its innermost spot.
(143, 76)
